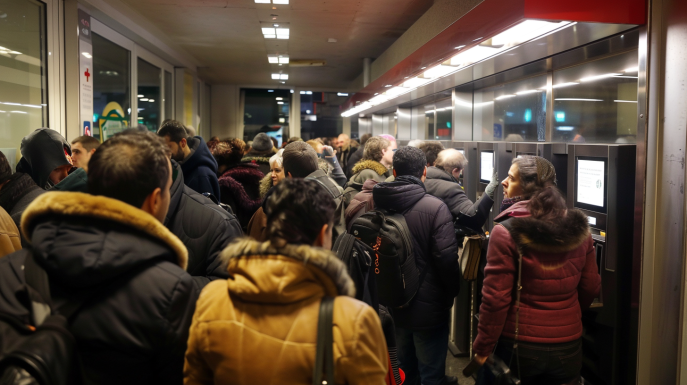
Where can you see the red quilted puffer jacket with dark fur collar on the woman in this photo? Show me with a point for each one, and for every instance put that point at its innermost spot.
(559, 279)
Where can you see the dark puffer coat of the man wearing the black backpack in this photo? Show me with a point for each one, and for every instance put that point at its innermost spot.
(434, 246)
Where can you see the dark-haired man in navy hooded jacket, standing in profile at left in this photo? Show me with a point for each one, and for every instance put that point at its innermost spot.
(197, 163)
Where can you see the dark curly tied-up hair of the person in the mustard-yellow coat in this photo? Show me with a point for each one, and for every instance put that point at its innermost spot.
(296, 212)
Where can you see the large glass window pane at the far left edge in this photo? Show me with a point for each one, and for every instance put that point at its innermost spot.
(23, 99)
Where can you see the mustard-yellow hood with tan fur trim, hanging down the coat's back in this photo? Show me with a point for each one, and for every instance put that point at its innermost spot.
(260, 272)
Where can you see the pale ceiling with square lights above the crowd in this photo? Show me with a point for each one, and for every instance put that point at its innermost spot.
(225, 36)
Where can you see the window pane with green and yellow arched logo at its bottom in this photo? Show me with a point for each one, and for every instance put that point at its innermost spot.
(111, 87)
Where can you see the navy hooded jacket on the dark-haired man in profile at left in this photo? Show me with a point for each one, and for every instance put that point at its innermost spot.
(200, 168)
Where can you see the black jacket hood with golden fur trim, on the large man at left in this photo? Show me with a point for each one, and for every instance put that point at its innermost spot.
(86, 239)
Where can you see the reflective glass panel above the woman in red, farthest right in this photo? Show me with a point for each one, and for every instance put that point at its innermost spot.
(596, 102)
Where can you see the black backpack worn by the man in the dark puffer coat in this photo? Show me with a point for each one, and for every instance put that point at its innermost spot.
(393, 261)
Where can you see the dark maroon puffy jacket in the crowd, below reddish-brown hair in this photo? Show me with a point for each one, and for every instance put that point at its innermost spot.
(240, 185)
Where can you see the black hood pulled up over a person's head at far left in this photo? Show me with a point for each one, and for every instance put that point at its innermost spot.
(42, 151)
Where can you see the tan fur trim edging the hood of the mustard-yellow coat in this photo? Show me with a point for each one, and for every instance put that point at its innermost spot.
(323, 259)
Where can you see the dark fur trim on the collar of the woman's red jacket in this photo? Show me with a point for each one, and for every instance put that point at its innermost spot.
(561, 236)
